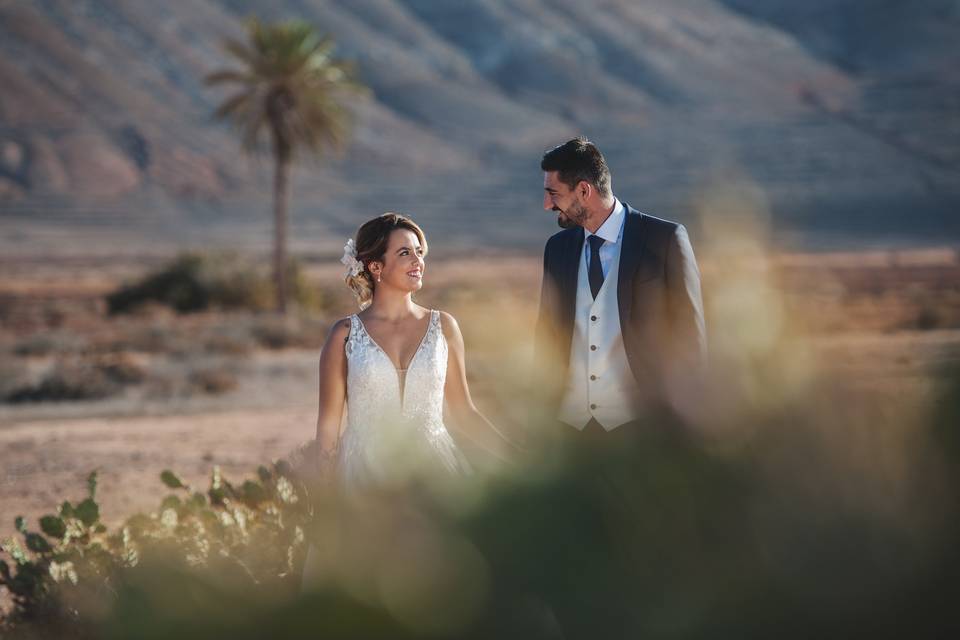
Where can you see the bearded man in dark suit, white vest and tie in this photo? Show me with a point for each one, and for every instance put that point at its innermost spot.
(620, 333)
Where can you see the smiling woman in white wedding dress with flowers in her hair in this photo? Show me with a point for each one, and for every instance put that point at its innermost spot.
(391, 367)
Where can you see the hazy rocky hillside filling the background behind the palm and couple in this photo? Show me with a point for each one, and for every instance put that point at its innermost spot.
(841, 113)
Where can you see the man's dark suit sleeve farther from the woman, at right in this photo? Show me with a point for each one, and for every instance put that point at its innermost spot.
(687, 357)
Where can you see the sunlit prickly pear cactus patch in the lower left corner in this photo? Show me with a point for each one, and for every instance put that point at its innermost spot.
(67, 578)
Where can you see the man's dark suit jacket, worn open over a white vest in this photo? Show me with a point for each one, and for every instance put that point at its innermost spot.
(661, 313)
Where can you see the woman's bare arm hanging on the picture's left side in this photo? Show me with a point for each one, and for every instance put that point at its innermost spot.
(333, 391)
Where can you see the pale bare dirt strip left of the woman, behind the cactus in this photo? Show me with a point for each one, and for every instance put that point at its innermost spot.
(44, 463)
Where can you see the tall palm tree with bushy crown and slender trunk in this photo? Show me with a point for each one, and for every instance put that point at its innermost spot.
(290, 87)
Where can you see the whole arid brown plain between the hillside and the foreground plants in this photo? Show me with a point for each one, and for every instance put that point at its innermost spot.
(165, 391)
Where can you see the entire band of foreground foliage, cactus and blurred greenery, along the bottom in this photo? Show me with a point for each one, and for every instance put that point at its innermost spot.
(670, 534)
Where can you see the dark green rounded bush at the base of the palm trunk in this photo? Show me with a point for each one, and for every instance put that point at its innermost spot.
(195, 282)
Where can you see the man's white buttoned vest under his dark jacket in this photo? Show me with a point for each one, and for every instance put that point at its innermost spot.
(599, 382)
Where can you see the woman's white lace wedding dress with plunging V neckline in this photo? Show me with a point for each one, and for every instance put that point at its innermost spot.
(394, 427)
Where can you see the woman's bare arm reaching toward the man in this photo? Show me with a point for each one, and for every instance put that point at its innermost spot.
(467, 418)
